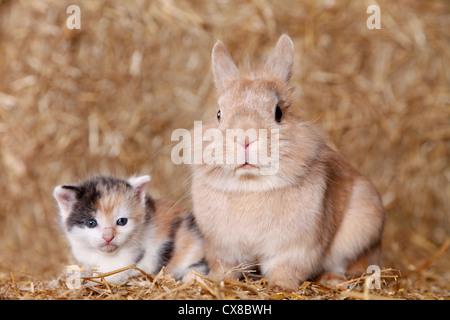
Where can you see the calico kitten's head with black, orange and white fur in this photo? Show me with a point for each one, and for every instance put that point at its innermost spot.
(104, 214)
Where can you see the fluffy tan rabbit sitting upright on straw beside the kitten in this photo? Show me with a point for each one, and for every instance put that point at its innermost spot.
(314, 214)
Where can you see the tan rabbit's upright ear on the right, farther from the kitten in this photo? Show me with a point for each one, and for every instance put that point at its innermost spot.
(282, 58)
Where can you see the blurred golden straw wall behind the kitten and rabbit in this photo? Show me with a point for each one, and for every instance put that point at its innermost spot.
(106, 98)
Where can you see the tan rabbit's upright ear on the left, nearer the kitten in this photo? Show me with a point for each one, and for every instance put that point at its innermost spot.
(223, 67)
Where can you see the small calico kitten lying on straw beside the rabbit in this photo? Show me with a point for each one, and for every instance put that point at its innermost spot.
(111, 223)
